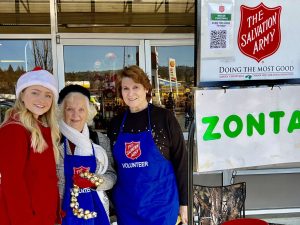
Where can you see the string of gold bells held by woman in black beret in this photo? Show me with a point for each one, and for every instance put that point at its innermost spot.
(80, 212)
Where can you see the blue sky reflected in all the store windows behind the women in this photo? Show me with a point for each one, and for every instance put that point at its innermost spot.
(91, 58)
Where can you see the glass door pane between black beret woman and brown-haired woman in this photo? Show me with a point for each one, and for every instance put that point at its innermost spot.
(96, 67)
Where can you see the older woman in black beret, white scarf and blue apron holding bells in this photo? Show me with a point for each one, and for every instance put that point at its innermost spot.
(85, 169)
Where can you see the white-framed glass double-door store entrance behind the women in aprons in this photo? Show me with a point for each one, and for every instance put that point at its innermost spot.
(95, 63)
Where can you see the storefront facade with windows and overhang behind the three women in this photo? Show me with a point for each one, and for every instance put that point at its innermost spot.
(88, 42)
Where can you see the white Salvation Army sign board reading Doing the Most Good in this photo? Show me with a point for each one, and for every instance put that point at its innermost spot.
(249, 40)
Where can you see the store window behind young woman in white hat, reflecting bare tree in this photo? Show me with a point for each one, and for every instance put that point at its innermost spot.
(17, 57)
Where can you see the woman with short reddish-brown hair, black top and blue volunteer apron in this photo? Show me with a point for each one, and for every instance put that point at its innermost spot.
(150, 156)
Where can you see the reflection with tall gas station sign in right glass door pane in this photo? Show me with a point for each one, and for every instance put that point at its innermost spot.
(173, 79)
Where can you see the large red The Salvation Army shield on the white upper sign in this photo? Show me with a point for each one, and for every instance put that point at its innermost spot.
(259, 33)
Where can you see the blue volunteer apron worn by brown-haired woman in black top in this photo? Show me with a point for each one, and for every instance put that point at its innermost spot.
(146, 191)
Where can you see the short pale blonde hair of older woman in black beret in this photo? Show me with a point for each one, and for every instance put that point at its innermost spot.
(71, 96)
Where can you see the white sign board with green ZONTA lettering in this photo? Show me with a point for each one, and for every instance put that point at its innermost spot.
(240, 128)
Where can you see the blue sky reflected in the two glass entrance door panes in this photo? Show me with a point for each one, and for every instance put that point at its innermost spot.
(104, 58)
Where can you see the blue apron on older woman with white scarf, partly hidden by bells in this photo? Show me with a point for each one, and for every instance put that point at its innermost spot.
(88, 198)
